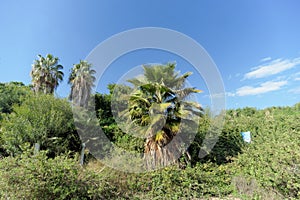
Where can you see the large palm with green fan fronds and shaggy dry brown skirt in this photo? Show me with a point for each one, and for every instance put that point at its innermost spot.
(158, 106)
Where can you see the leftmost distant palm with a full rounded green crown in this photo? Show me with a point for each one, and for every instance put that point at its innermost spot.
(46, 74)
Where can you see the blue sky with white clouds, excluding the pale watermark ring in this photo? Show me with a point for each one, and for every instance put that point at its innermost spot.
(255, 44)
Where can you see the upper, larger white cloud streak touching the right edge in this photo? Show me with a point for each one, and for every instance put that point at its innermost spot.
(272, 67)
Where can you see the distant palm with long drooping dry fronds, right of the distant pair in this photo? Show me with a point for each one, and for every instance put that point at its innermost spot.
(82, 80)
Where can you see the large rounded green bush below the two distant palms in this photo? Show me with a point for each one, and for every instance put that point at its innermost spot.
(40, 119)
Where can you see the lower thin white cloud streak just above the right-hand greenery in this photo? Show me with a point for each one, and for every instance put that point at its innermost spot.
(263, 88)
